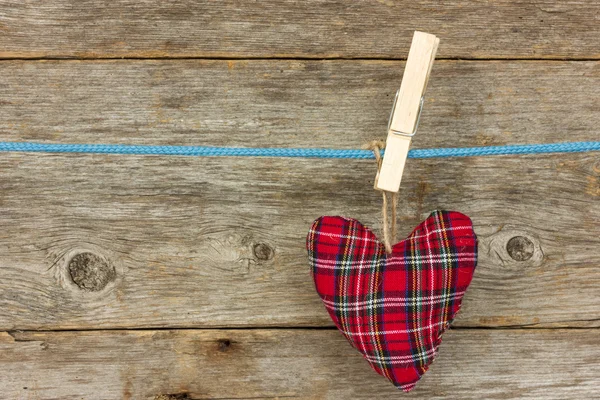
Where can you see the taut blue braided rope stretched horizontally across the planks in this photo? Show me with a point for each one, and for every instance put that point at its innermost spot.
(568, 147)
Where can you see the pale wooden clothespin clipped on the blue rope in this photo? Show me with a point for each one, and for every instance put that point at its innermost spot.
(406, 111)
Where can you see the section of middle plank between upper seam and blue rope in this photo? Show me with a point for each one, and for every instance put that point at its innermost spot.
(293, 103)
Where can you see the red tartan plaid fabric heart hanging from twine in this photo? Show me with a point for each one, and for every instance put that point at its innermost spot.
(394, 308)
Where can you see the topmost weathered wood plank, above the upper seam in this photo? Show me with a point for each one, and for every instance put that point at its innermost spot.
(310, 28)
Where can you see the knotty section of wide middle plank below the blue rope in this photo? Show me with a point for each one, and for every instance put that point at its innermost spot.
(198, 242)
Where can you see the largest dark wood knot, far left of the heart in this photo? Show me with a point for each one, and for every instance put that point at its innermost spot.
(91, 272)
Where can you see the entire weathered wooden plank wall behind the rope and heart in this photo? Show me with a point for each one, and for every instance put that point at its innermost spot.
(149, 277)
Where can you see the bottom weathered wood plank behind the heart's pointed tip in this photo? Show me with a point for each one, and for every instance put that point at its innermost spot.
(306, 364)
